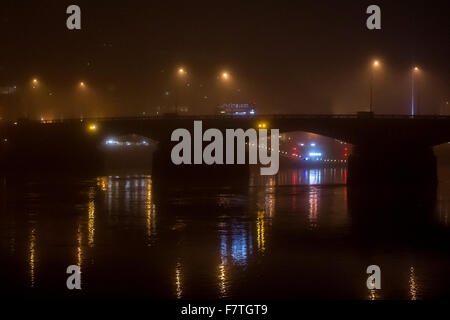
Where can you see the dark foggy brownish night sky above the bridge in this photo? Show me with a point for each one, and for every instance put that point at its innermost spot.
(296, 56)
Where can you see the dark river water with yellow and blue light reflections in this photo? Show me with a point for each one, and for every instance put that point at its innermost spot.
(300, 234)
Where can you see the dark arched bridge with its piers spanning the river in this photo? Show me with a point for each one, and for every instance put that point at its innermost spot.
(386, 149)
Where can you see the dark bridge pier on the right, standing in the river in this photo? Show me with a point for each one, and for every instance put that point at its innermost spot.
(407, 165)
